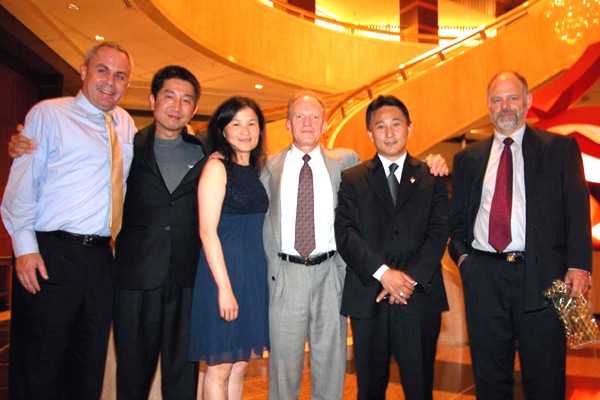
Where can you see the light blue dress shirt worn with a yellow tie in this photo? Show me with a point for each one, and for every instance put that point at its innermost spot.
(65, 183)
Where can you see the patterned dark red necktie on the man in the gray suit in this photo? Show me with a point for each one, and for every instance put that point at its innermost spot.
(305, 212)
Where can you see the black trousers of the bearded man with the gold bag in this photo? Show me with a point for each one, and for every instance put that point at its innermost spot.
(498, 327)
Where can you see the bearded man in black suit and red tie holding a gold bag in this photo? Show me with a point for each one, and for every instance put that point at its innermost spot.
(546, 236)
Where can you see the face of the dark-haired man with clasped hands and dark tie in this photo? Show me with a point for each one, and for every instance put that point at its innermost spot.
(389, 131)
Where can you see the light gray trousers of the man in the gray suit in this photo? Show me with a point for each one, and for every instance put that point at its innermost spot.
(305, 302)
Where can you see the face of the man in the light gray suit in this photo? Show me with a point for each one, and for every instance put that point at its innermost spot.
(306, 123)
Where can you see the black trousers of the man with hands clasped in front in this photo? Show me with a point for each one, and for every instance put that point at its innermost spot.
(411, 339)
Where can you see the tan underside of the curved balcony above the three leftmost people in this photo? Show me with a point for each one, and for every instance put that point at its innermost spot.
(70, 32)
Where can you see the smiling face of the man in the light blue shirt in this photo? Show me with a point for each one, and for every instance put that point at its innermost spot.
(105, 78)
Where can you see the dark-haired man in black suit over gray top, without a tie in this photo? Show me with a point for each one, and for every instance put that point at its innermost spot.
(158, 247)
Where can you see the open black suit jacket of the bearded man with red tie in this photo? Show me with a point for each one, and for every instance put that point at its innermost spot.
(558, 232)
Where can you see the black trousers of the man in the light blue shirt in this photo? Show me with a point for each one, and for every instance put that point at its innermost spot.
(59, 336)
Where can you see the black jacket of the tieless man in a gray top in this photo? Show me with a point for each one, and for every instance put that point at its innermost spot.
(160, 229)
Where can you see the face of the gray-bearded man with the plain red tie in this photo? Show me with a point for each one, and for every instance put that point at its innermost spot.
(508, 103)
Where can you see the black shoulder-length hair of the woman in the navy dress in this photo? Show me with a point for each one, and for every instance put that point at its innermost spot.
(223, 116)
